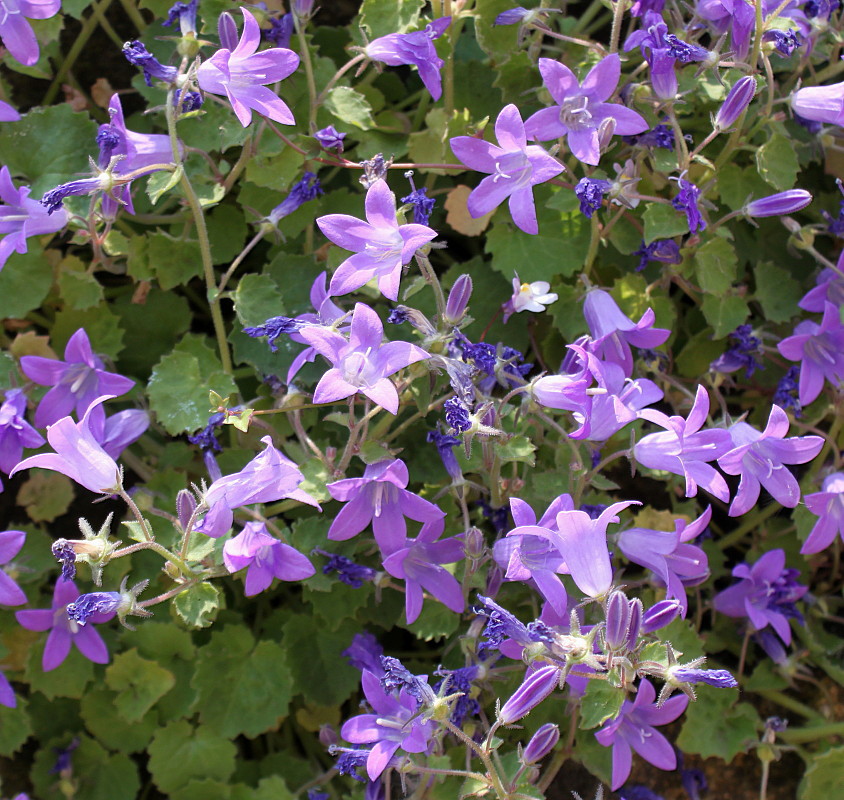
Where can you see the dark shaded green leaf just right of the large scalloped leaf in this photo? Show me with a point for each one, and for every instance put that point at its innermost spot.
(313, 656)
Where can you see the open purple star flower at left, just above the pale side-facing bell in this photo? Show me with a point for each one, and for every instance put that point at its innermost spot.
(77, 381)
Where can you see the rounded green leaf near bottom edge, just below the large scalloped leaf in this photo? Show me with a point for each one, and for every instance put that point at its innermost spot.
(180, 752)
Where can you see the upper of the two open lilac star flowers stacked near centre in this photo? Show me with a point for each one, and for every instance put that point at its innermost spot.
(380, 244)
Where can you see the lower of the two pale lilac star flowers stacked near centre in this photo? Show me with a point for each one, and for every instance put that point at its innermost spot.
(361, 364)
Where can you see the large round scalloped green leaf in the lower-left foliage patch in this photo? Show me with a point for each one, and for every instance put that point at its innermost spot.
(257, 689)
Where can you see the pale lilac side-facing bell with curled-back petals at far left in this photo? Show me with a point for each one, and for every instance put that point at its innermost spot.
(78, 454)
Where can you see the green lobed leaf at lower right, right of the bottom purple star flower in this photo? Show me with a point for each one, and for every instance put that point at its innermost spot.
(715, 725)
